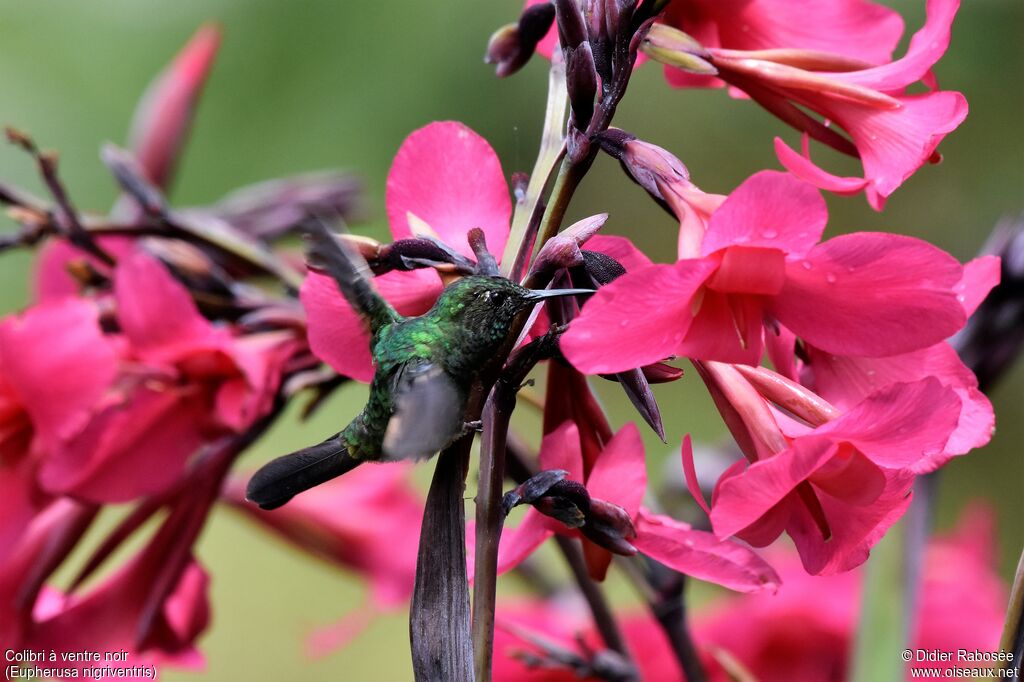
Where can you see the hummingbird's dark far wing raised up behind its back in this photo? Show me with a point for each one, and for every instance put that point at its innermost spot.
(349, 269)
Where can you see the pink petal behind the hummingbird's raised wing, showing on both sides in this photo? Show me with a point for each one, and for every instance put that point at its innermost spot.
(338, 336)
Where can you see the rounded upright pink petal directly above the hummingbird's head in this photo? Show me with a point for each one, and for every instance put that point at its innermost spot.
(450, 178)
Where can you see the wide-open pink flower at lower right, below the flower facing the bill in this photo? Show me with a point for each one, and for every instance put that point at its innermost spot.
(836, 489)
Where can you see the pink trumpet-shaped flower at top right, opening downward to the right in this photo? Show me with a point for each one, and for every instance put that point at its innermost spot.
(892, 133)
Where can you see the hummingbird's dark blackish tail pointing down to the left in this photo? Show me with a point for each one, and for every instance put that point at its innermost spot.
(280, 481)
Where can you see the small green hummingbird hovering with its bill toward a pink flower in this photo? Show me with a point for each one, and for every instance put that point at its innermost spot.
(424, 369)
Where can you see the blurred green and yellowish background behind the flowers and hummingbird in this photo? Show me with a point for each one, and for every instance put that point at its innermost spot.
(314, 84)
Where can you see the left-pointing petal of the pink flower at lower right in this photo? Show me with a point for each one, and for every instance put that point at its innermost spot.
(744, 499)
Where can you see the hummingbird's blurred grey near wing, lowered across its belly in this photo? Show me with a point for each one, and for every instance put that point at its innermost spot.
(430, 409)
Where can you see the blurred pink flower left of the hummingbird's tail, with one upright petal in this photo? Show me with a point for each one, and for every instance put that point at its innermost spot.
(184, 382)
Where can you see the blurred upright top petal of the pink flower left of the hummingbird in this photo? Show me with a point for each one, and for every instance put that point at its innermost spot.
(155, 311)
